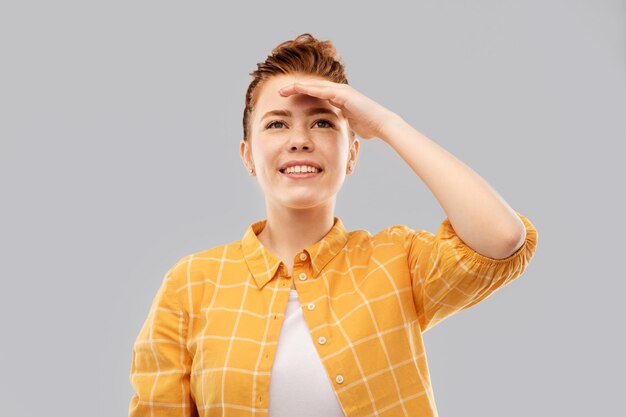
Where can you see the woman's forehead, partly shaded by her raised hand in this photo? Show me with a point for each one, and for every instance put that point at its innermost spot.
(270, 99)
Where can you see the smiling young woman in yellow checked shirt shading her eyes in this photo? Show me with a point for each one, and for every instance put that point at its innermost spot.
(301, 317)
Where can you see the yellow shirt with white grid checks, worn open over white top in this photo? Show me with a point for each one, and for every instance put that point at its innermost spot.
(207, 345)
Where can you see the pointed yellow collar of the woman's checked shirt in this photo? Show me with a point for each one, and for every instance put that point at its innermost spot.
(263, 264)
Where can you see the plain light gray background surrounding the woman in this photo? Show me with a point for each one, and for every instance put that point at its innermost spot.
(120, 130)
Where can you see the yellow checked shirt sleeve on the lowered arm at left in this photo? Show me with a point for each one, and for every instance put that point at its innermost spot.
(160, 367)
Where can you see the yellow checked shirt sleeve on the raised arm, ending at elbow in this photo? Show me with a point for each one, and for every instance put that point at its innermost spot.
(447, 275)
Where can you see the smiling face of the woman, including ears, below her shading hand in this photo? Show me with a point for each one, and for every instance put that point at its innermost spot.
(304, 128)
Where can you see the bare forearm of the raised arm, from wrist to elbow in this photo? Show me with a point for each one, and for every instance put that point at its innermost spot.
(478, 214)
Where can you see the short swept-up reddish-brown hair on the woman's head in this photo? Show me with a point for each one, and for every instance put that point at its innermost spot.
(303, 55)
